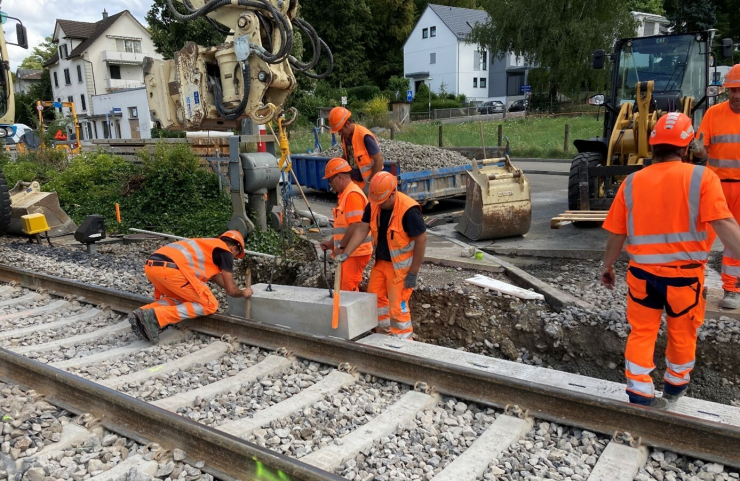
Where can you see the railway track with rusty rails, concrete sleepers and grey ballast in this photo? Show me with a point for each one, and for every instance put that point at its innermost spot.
(232, 398)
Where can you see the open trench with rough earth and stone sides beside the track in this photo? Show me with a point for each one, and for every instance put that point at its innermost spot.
(448, 312)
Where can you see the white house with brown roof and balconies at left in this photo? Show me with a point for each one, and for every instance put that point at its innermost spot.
(98, 58)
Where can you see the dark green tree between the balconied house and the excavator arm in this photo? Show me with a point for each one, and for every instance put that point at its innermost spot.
(170, 35)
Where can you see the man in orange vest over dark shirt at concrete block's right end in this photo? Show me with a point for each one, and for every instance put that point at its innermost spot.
(399, 237)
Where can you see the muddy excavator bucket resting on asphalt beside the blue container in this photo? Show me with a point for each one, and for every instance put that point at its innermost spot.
(498, 202)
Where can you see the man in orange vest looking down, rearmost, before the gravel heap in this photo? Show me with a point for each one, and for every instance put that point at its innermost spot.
(360, 147)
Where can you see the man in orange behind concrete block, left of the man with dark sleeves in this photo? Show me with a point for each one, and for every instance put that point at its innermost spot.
(347, 216)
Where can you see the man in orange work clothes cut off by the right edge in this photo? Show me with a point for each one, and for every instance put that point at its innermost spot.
(719, 140)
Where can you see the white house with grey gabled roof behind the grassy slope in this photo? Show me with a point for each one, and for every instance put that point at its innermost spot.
(438, 53)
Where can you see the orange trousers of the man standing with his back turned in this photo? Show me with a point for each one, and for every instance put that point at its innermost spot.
(651, 290)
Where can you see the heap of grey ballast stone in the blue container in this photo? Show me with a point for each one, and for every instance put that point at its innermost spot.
(411, 157)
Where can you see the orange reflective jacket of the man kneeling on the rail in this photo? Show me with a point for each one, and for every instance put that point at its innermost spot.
(194, 257)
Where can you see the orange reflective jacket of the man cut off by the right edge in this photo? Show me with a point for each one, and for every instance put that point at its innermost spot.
(721, 128)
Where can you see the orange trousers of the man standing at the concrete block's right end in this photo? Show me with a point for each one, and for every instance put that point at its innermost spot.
(394, 316)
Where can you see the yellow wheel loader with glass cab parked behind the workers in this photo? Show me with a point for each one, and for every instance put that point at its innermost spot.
(650, 77)
